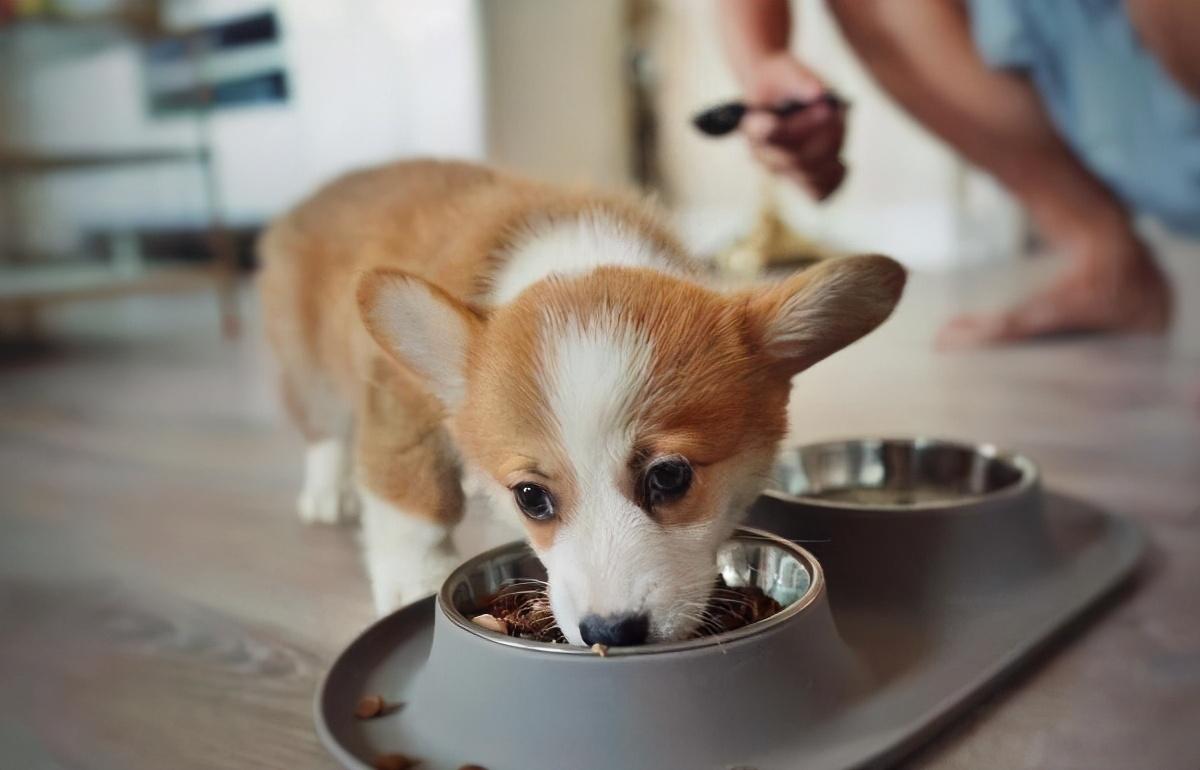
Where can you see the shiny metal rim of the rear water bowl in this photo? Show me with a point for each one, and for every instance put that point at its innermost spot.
(1030, 476)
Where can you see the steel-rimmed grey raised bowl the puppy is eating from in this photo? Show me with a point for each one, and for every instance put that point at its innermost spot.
(724, 701)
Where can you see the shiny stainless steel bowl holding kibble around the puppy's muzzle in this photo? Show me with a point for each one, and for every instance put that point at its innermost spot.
(784, 572)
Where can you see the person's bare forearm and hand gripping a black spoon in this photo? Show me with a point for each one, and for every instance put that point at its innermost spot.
(805, 147)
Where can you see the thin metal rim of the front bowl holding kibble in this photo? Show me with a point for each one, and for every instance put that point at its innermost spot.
(817, 588)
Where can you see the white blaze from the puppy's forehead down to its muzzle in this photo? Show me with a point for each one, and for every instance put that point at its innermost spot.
(610, 557)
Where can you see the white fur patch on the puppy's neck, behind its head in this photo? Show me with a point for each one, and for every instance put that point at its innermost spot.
(573, 248)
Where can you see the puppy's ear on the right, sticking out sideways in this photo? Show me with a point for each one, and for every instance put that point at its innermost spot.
(820, 311)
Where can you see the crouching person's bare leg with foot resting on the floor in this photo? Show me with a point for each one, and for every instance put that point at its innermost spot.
(922, 53)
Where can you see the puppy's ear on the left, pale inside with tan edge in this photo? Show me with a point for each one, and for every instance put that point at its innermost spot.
(423, 327)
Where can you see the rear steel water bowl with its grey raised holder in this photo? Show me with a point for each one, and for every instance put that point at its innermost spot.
(903, 518)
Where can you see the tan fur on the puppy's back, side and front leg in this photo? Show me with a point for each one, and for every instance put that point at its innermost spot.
(446, 222)
